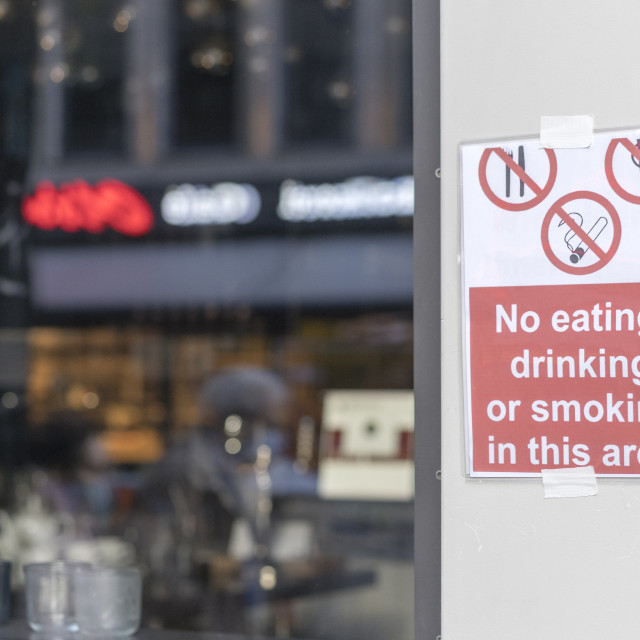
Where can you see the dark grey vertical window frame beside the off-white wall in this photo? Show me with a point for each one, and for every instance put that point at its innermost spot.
(426, 43)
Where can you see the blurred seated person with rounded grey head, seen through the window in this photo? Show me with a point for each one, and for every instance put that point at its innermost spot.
(220, 474)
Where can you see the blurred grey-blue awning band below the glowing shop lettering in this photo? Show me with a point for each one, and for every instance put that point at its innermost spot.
(347, 270)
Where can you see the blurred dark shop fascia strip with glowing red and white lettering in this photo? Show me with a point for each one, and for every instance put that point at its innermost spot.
(236, 209)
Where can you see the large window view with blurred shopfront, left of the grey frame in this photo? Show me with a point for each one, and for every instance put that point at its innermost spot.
(192, 186)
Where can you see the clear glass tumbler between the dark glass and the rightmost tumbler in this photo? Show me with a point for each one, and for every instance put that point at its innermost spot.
(49, 588)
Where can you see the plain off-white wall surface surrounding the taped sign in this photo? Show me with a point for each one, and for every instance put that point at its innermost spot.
(514, 565)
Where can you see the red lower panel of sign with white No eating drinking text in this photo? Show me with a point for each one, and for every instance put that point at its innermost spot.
(551, 409)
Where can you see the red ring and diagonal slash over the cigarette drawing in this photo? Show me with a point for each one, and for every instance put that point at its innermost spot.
(604, 256)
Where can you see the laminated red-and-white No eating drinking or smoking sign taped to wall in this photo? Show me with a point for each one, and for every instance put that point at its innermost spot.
(551, 285)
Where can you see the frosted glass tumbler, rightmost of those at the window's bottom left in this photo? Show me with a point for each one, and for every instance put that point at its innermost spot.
(108, 600)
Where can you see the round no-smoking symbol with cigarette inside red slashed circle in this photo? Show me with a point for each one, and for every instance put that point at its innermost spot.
(581, 232)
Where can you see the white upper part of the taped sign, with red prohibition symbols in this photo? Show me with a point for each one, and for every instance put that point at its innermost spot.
(534, 216)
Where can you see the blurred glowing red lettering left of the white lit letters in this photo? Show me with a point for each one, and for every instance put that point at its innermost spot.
(80, 207)
